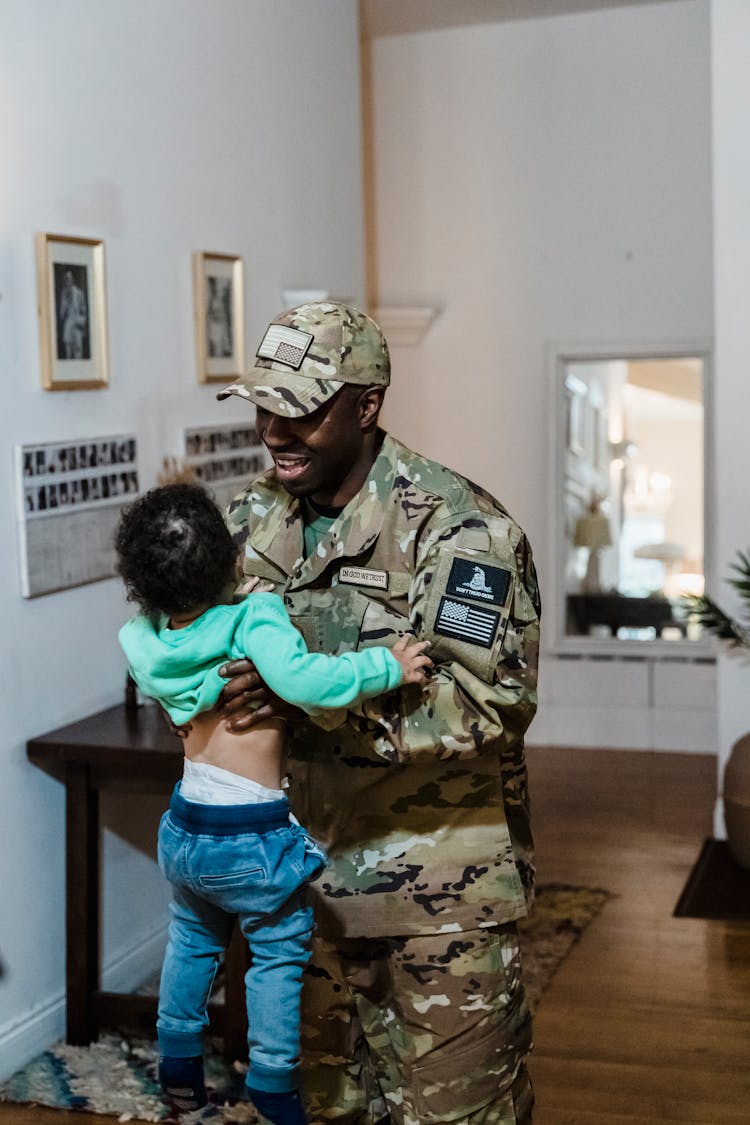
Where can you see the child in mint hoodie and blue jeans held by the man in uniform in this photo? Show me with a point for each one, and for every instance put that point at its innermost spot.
(228, 843)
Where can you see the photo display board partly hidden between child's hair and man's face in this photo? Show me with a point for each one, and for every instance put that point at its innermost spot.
(224, 458)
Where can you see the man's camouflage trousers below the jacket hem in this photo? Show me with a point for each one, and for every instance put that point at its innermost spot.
(423, 1030)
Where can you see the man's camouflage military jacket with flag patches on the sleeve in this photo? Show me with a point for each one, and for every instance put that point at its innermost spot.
(419, 796)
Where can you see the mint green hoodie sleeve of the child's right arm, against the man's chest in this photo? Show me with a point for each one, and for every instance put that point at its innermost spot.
(312, 681)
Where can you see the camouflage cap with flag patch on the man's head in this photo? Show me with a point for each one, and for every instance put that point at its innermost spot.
(309, 354)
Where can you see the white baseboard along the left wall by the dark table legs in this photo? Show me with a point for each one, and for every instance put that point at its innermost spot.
(26, 1037)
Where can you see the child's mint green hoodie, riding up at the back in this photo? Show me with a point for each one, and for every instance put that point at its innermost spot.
(179, 668)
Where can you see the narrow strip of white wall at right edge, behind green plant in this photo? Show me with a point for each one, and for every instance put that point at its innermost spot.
(731, 172)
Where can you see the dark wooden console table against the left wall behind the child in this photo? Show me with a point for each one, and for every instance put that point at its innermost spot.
(129, 752)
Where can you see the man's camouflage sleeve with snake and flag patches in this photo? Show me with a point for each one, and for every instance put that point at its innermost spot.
(485, 646)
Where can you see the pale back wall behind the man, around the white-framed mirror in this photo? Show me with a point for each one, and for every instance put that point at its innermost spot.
(540, 183)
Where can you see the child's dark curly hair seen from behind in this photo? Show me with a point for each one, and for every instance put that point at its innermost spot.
(175, 552)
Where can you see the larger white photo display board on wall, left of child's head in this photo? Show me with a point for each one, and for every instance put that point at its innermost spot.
(70, 497)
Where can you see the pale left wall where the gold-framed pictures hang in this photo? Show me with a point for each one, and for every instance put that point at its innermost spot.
(164, 128)
